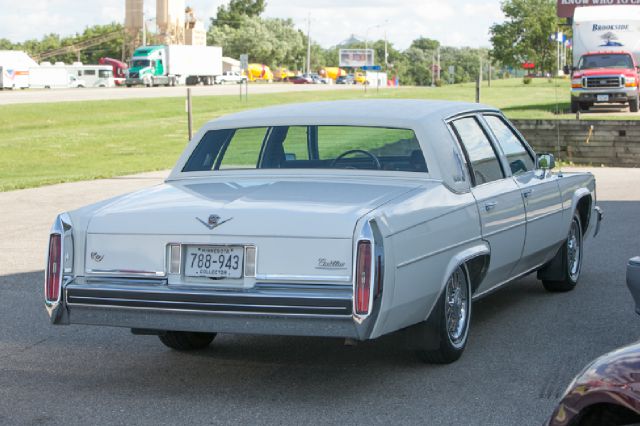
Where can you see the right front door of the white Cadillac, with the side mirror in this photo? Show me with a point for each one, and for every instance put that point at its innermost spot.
(540, 192)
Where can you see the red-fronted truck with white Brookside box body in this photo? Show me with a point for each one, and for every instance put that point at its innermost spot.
(606, 45)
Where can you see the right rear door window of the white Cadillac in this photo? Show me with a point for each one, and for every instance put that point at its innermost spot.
(483, 160)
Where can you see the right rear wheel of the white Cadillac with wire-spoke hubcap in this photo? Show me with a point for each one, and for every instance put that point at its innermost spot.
(449, 321)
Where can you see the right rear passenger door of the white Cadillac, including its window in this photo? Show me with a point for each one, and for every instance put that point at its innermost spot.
(498, 198)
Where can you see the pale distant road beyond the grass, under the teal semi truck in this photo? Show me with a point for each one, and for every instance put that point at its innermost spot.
(9, 97)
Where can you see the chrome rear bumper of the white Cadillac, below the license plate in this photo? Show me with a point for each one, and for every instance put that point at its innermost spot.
(277, 309)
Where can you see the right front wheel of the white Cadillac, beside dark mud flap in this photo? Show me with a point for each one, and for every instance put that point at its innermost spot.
(570, 260)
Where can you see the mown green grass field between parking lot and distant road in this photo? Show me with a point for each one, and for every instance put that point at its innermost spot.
(70, 141)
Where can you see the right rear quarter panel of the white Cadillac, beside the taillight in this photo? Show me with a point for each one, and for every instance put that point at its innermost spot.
(426, 235)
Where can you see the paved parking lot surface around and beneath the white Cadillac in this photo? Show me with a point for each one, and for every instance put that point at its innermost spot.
(524, 348)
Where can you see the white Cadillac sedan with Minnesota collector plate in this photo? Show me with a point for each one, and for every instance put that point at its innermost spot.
(348, 219)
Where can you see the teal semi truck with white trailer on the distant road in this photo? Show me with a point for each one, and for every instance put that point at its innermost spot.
(174, 64)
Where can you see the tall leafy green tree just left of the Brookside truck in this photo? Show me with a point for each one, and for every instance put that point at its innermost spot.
(524, 36)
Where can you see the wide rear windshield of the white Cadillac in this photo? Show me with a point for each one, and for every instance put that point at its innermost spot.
(308, 147)
